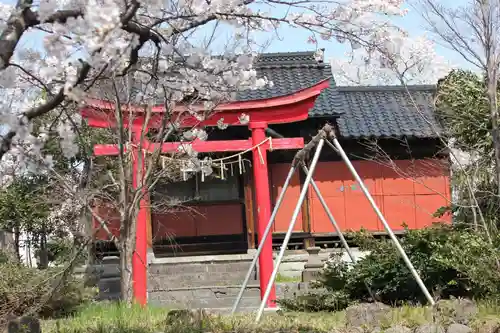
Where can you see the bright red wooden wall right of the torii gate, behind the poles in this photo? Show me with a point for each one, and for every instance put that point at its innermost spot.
(409, 192)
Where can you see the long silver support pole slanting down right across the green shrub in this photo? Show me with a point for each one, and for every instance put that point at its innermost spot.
(384, 222)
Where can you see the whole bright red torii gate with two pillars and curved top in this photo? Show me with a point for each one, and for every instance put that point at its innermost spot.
(277, 110)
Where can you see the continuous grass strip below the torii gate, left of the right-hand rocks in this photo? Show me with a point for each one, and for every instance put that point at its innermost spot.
(116, 318)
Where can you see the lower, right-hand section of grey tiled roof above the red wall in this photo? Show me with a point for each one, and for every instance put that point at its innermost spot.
(386, 111)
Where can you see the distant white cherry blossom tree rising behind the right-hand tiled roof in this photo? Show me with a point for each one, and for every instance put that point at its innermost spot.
(399, 61)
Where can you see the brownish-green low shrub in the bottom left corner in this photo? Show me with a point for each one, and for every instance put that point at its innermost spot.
(43, 292)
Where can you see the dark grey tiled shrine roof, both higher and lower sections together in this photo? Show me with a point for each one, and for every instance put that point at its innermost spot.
(379, 111)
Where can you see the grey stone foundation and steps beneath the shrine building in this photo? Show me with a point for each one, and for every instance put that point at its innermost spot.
(205, 281)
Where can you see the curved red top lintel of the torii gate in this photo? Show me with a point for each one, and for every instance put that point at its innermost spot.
(282, 109)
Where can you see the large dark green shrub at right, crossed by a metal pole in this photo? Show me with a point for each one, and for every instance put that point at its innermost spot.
(451, 260)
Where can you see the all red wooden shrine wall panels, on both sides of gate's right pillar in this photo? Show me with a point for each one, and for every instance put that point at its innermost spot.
(410, 192)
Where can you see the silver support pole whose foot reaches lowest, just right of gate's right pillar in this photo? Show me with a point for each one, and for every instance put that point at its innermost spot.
(290, 229)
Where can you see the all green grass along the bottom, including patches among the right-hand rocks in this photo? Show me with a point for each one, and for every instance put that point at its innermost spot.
(116, 318)
